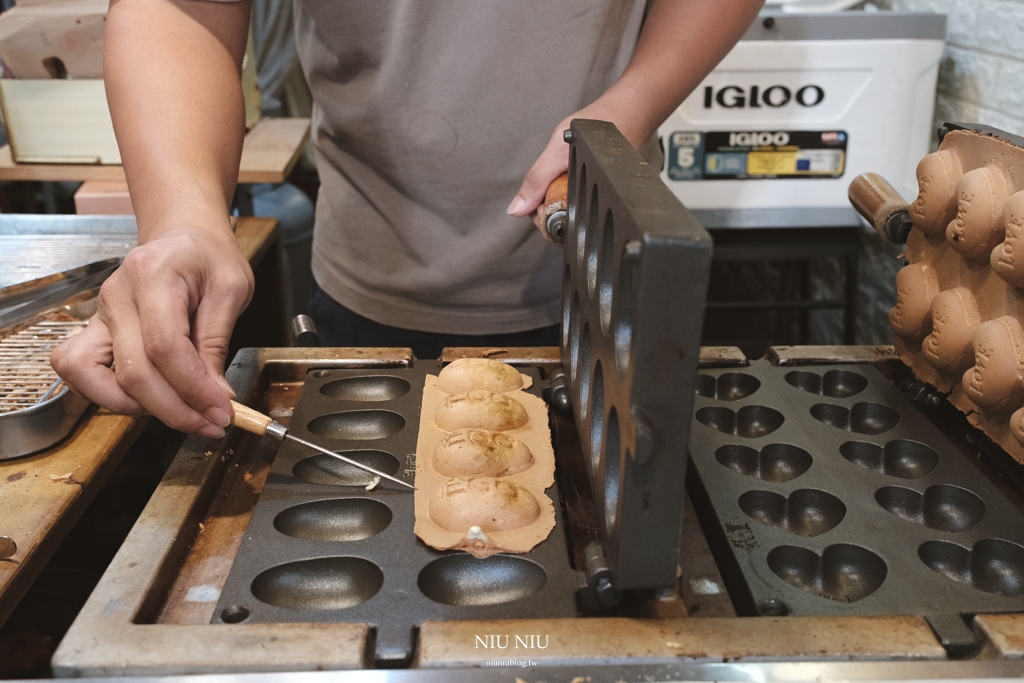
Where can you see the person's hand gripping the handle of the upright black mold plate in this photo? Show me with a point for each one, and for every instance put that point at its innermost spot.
(556, 159)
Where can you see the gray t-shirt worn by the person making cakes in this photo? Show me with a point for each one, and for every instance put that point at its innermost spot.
(428, 116)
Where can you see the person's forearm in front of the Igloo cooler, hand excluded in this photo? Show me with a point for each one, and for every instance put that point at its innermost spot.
(681, 42)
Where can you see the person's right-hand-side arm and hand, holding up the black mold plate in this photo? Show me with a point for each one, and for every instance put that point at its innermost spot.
(681, 42)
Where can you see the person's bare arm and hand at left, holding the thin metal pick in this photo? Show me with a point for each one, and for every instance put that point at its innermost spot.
(165, 317)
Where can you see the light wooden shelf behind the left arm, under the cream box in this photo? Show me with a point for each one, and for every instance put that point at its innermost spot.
(269, 155)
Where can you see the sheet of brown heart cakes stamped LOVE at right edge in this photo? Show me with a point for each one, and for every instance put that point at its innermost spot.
(960, 298)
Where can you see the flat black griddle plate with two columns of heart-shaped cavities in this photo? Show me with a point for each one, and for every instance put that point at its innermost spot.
(827, 492)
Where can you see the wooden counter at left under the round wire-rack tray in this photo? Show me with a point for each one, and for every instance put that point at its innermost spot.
(37, 511)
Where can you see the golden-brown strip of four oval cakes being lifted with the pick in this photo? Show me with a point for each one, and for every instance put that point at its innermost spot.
(484, 460)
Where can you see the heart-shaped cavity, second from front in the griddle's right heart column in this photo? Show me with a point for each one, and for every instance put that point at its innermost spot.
(942, 507)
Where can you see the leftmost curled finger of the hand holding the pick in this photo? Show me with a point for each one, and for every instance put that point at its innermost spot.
(84, 364)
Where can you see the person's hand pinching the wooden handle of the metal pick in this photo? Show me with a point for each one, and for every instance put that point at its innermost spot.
(164, 322)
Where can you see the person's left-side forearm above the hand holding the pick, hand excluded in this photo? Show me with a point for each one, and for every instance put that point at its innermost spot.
(172, 69)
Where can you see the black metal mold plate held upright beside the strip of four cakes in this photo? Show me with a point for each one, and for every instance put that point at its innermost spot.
(636, 268)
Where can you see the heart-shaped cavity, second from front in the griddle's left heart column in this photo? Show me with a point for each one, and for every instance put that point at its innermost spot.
(806, 513)
